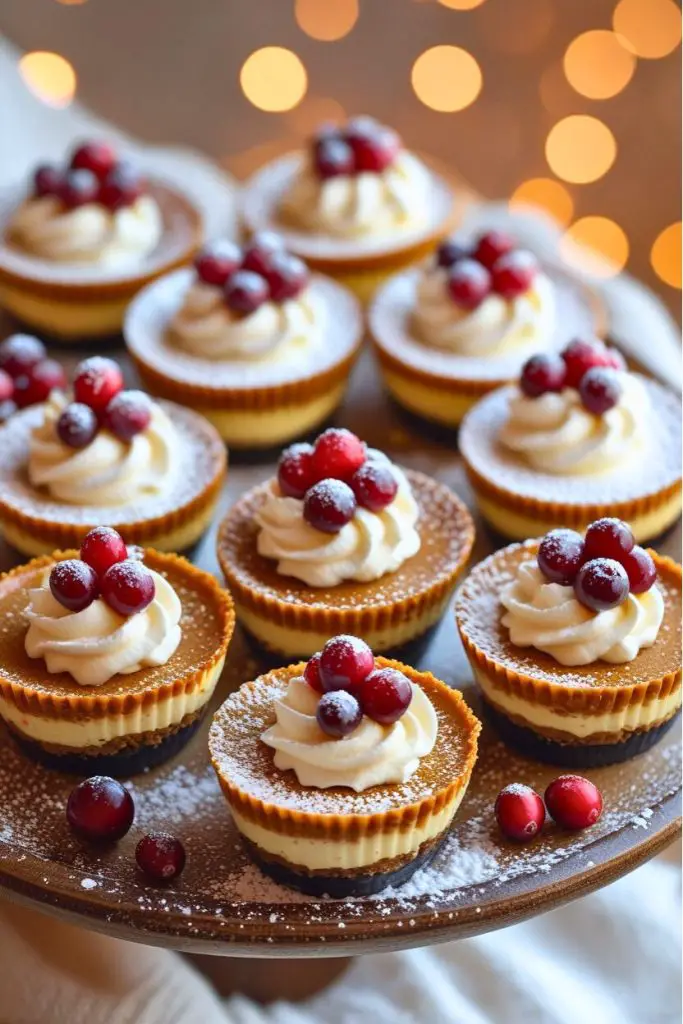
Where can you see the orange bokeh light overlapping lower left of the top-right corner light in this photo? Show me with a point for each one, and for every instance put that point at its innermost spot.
(599, 66)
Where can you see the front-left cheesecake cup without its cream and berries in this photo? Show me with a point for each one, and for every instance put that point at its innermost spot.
(133, 722)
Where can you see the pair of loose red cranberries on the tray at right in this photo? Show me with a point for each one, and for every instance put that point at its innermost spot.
(573, 801)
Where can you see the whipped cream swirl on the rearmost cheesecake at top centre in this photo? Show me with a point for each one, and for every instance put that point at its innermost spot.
(366, 204)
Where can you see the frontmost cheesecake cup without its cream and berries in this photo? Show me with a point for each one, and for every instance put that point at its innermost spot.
(336, 841)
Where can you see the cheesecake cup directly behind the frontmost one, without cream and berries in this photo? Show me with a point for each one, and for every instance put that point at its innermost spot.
(291, 619)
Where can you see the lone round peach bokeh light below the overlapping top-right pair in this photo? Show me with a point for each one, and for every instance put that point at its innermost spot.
(580, 149)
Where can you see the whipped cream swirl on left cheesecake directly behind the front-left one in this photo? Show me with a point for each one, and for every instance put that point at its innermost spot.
(108, 472)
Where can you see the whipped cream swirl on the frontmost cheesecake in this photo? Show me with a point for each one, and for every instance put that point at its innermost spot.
(372, 755)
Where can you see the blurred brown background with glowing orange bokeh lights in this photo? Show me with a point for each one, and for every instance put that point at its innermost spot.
(573, 105)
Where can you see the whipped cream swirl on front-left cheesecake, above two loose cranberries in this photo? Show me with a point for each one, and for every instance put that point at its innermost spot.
(98, 644)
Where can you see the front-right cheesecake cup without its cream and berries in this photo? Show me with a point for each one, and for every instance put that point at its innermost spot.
(582, 716)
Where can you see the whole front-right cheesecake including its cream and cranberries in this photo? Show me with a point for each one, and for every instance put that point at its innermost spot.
(576, 644)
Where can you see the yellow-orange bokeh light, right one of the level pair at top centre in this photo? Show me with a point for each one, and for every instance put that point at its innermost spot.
(447, 78)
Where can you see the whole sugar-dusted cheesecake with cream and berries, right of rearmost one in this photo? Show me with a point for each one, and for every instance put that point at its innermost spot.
(464, 323)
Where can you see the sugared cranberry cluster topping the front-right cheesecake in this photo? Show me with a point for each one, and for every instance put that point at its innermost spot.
(603, 567)
